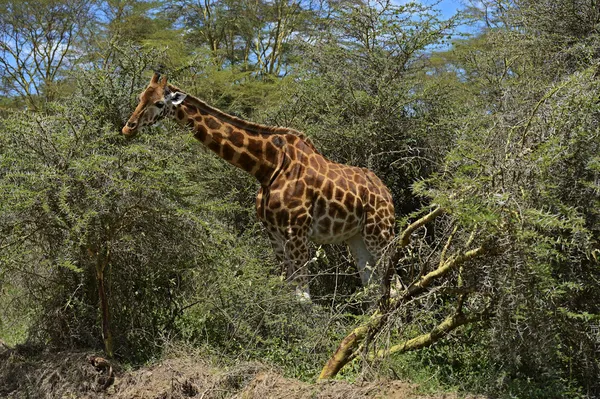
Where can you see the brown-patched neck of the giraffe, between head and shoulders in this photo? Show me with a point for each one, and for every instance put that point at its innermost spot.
(257, 149)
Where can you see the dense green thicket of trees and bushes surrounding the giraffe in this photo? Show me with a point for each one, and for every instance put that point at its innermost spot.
(501, 130)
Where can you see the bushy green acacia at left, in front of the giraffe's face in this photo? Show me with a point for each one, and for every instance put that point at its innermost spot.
(80, 217)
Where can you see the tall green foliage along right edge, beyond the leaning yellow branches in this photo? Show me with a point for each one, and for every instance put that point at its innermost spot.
(519, 176)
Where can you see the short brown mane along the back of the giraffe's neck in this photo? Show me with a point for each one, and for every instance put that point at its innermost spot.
(252, 127)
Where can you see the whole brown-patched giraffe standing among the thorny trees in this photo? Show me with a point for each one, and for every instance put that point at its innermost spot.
(303, 196)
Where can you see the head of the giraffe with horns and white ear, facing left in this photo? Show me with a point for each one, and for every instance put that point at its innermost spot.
(156, 101)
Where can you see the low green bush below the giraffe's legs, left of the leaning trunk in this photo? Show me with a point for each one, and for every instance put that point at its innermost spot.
(244, 313)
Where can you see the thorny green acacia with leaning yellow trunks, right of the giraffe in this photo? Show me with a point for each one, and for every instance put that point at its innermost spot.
(518, 252)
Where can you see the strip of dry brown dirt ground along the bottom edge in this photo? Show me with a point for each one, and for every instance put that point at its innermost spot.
(83, 375)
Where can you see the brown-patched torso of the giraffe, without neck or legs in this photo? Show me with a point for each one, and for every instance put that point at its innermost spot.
(324, 200)
